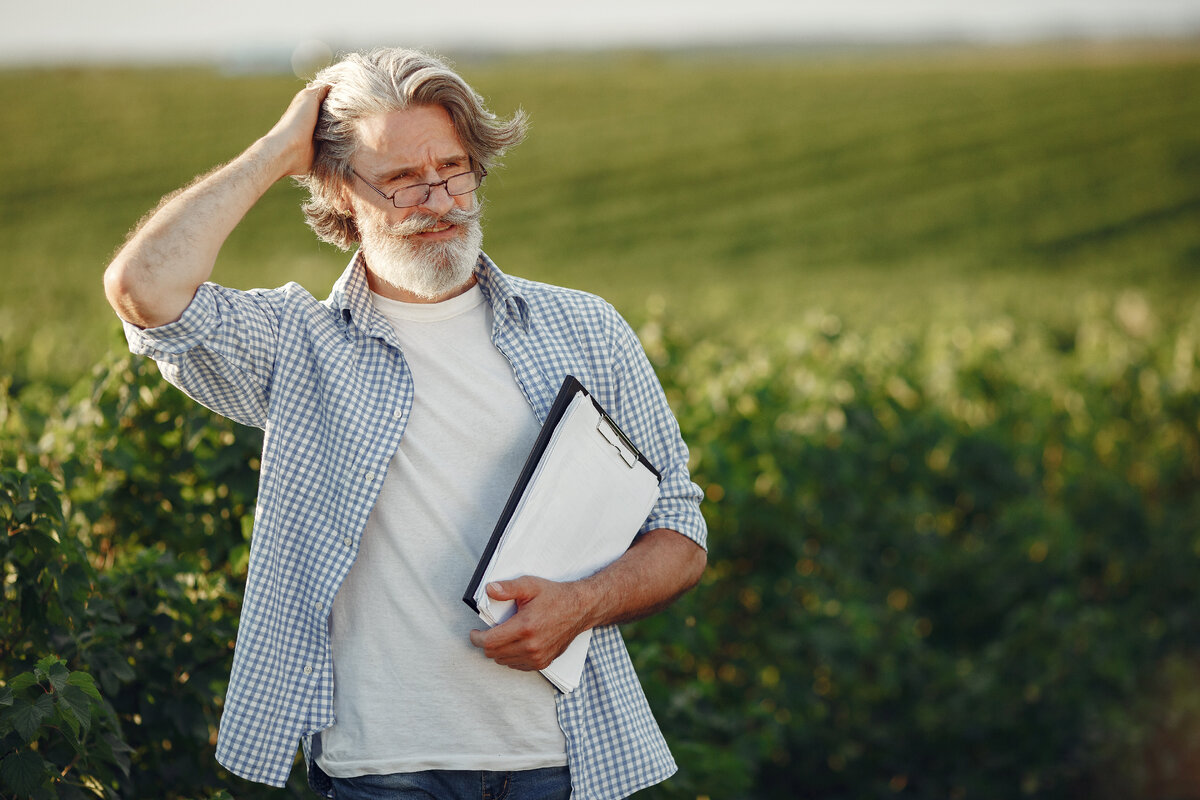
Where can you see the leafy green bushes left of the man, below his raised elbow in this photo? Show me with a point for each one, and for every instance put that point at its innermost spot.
(134, 573)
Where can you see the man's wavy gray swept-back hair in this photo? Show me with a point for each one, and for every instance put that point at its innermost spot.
(380, 82)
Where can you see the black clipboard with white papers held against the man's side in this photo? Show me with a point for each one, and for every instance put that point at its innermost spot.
(580, 500)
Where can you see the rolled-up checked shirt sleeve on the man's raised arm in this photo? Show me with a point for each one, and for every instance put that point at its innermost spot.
(221, 352)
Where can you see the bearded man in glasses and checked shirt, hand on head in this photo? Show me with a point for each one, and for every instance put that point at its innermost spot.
(398, 414)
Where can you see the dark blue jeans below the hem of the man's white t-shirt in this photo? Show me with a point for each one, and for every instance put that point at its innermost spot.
(550, 784)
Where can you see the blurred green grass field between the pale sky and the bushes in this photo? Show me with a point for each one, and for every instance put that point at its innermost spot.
(739, 191)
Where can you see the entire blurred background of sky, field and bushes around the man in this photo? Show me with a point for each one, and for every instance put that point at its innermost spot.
(921, 281)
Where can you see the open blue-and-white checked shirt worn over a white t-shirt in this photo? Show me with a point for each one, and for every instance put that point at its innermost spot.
(329, 386)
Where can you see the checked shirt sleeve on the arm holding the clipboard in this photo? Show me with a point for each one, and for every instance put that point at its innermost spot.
(647, 418)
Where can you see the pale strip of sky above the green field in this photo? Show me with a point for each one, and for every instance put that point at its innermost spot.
(52, 32)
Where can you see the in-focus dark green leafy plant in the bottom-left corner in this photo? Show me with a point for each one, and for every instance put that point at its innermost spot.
(58, 736)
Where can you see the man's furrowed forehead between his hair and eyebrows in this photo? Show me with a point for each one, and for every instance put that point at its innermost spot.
(412, 137)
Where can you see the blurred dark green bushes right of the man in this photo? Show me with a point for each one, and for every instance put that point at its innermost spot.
(943, 566)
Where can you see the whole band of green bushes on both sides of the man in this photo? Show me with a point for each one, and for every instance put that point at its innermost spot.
(951, 566)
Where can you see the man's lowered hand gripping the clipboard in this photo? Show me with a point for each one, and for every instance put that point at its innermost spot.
(549, 618)
